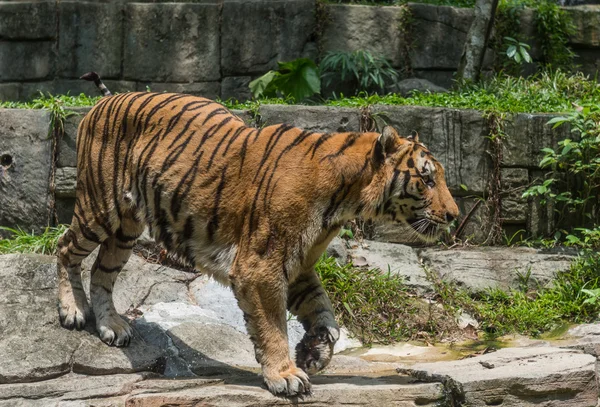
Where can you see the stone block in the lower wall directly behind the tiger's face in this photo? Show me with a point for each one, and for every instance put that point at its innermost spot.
(457, 138)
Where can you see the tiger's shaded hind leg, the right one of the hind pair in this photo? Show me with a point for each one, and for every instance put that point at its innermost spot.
(113, 255)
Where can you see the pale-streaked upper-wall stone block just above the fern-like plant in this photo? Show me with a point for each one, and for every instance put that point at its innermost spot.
(374, 29)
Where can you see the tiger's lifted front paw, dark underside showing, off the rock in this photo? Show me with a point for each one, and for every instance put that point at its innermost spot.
(315, 350)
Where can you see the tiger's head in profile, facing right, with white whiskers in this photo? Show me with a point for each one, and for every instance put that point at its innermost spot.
(415, 191)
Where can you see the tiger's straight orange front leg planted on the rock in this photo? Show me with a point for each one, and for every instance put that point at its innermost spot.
(260, 288)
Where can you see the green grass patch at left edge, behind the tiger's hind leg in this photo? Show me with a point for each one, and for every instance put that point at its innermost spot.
(23, 242)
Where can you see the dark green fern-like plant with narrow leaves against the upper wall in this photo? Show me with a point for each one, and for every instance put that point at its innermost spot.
(363, 70)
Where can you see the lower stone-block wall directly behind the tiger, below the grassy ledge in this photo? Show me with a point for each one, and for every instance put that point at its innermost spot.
(458, 138)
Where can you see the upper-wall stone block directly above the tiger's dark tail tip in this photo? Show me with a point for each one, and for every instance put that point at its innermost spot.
(90, 39)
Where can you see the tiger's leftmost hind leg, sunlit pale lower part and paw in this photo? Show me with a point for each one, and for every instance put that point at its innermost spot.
(73, 247)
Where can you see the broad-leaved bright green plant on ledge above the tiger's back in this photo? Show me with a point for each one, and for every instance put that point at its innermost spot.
(298, 79)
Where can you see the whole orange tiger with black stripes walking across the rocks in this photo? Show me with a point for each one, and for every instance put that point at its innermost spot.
(254, 208)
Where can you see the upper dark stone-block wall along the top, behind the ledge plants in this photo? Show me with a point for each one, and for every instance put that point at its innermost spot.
(215, 47)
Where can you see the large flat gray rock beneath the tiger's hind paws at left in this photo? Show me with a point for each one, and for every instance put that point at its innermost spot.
(28, 310)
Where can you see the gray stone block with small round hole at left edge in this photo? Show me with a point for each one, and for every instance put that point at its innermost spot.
(25, 161)
